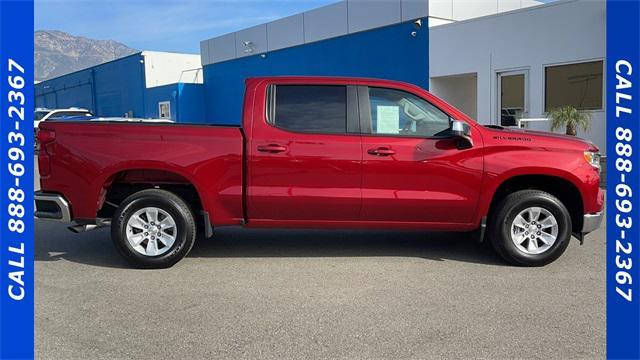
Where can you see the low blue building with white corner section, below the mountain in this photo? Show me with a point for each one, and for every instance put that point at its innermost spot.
(146, 84)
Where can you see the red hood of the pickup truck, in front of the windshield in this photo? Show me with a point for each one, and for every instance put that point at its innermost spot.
(546, 137)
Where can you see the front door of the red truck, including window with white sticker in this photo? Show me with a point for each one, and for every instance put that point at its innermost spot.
(413, 170)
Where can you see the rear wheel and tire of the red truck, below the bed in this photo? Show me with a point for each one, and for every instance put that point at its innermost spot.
(174, 228)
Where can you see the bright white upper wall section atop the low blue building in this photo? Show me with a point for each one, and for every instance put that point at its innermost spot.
(162, 68)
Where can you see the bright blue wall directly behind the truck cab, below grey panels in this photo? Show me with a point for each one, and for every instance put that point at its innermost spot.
(389, 53)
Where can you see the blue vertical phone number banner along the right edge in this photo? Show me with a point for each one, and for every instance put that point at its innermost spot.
(623, 180)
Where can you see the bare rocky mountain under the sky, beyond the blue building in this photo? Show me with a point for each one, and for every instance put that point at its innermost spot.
(58, 53)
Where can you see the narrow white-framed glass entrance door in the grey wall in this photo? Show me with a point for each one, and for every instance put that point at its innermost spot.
(512, 97)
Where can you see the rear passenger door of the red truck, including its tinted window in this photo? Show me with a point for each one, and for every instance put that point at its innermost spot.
(305, 159)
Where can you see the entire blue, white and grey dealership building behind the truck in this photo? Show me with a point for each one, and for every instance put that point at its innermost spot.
(500, 61)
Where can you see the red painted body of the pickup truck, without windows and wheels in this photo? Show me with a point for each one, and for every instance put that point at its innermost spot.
(311, 180)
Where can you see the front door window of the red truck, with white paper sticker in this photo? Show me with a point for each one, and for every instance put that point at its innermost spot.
(397, 112)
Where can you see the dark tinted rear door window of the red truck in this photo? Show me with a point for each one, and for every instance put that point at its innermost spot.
(311, 108)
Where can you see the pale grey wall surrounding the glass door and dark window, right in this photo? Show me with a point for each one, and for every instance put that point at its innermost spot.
(556, 33)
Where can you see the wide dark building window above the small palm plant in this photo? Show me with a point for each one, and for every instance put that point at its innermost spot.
(578, 85)
